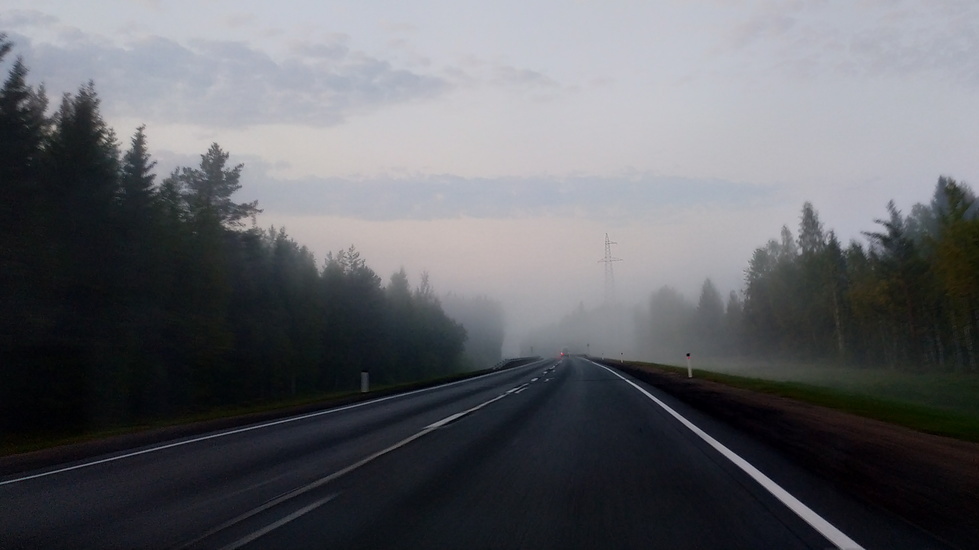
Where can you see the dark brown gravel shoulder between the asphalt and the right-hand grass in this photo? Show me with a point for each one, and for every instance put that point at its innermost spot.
(915, 486)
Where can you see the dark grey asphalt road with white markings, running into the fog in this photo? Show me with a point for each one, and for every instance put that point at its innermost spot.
(555, 454)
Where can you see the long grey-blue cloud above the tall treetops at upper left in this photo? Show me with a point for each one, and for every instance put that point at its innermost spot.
(225, 84)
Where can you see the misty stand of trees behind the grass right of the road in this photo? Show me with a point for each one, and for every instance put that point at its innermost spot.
(907, 298)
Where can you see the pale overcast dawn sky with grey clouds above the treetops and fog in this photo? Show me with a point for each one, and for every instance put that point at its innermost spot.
(495, 143)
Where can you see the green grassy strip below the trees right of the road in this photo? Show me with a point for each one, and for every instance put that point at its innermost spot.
(941, 404)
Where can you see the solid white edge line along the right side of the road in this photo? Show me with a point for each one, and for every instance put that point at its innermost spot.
(817, 522)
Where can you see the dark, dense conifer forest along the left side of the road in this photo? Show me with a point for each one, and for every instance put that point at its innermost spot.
(126, 298)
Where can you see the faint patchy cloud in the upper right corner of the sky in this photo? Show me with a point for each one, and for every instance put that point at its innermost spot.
(860, 39)
